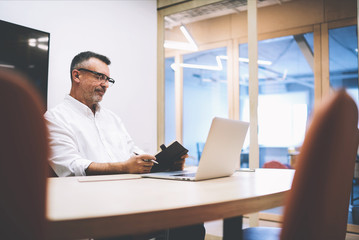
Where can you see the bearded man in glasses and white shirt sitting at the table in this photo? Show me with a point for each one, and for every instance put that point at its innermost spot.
(87, 139)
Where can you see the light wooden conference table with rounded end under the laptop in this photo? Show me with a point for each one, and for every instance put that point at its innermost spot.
(134, 206)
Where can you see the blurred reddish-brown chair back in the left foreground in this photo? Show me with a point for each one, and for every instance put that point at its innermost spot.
(23, 159)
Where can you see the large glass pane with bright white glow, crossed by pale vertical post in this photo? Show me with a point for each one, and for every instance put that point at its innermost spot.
(285, 99)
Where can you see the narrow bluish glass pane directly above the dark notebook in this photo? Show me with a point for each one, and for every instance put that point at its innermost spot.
(170, 125)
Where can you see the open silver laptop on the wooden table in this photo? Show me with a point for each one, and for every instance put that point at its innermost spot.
(220, 155)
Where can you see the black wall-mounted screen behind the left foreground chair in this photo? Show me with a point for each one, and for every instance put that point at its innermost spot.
(25, 50)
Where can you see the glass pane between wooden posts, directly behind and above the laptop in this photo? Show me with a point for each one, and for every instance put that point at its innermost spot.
(204, 97)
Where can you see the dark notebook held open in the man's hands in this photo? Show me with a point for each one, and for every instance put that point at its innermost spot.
(168, 156)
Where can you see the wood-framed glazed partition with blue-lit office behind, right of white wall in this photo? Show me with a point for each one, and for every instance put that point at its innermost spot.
(306, 50)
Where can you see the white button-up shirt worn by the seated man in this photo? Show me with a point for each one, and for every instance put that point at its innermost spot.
(78, 137)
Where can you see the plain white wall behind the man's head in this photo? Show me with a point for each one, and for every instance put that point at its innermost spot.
(123, 30)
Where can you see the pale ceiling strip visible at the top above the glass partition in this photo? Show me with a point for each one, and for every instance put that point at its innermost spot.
(214, 10)
